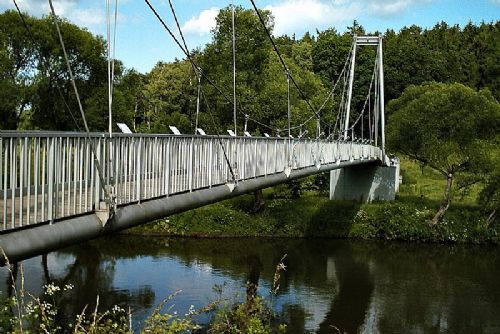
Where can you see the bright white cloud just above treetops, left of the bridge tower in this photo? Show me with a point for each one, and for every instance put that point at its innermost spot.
(303, 15)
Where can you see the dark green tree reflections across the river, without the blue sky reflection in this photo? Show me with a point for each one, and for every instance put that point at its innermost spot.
(403, 287)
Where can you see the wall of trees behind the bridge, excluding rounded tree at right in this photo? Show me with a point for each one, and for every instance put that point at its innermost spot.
(36, 93)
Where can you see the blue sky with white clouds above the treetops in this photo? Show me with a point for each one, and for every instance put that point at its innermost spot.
(141, 41)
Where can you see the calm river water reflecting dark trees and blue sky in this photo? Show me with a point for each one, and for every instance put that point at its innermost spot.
(354, 286)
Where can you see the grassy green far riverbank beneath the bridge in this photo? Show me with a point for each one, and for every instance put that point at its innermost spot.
(314, 215)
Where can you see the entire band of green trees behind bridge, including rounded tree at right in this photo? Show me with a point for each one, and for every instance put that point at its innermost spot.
(442, 87)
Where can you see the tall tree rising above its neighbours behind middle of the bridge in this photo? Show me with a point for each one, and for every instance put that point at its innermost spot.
(252, 53)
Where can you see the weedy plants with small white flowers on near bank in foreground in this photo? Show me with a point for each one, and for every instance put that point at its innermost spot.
(25, 313)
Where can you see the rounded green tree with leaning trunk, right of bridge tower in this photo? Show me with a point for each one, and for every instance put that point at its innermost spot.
(443, 126)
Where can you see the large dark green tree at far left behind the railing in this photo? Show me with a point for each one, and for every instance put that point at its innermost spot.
(35, 90)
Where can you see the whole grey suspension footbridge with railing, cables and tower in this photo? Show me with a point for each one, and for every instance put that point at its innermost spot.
(61, 188)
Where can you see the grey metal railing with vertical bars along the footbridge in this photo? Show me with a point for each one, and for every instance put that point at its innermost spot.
(46, 176)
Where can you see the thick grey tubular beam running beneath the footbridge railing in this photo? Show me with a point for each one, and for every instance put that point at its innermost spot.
(36, 240)
